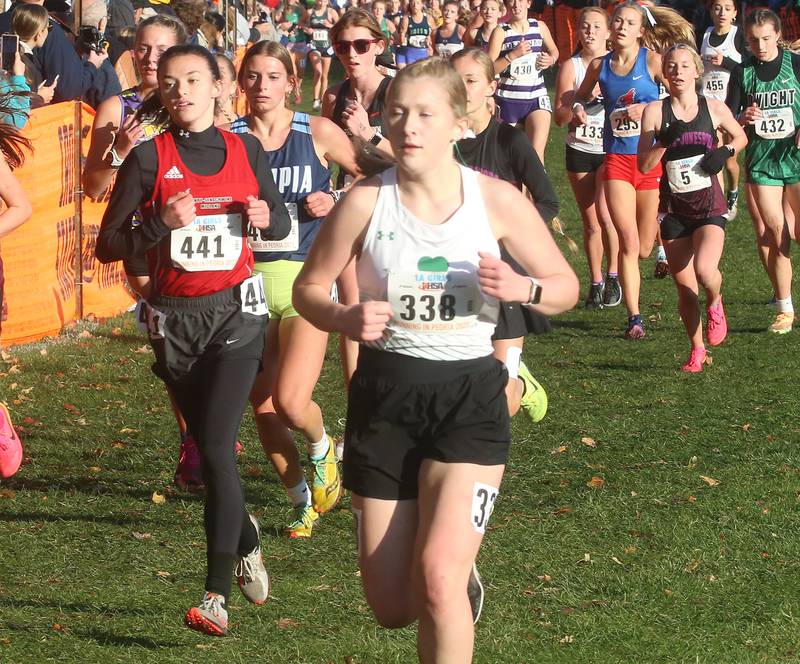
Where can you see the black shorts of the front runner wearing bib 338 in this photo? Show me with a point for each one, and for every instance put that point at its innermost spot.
(402, 410)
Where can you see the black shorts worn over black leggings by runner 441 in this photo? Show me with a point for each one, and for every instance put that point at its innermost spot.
(186, 330)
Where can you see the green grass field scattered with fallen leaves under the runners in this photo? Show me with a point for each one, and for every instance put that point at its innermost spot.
(651, 517)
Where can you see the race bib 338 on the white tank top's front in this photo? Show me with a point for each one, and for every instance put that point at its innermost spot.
(434, 302)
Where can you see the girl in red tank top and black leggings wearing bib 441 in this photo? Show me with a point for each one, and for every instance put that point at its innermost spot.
(199, 190)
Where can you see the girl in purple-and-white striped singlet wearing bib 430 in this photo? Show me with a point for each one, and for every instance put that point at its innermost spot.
(521, 50)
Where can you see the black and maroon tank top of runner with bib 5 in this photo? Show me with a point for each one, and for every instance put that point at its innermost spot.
(693, 194)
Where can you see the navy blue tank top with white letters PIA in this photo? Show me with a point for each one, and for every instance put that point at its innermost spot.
(297, 172)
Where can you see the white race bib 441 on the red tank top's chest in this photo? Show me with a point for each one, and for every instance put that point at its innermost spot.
(210, 243)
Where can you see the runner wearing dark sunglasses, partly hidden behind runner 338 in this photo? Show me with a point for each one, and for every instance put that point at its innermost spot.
(356, 105)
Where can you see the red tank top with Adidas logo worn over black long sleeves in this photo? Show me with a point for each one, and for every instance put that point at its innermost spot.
(210, 254)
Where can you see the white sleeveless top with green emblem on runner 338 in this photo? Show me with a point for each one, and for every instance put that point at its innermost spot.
(428, 274)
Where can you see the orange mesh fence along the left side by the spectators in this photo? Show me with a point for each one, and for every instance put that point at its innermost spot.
(41, 264)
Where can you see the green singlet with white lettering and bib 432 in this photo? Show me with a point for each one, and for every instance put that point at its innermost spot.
(772, 157)
